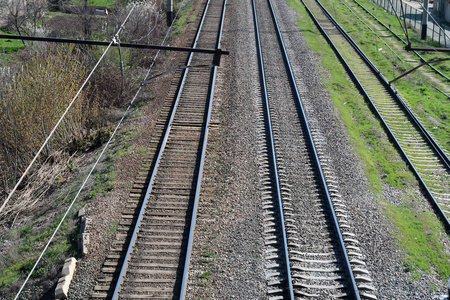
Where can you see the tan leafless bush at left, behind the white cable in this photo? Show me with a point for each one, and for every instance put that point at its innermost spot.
(33, 102)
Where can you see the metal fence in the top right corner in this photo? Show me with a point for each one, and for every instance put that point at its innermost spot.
(414, 20)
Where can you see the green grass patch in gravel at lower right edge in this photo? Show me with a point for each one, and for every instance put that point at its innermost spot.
(418, 234)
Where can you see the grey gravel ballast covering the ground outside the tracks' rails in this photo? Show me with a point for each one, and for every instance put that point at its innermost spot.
(228, 252)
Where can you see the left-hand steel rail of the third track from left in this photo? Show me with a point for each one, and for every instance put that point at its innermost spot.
(386, 127)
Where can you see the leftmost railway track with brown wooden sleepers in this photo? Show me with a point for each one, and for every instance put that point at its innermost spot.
(150, 257)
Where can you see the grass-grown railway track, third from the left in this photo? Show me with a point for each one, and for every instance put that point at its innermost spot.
(427, 160)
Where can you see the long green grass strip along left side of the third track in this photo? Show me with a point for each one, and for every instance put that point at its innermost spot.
(379, 157)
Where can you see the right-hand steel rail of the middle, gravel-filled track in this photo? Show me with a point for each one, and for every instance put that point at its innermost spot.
(349, 271)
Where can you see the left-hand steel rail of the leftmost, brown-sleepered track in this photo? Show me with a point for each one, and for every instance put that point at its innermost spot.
(160, 152)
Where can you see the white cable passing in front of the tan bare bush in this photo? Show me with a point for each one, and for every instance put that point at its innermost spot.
(62, 116)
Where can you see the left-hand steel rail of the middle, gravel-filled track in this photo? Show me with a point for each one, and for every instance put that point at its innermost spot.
(272, 149)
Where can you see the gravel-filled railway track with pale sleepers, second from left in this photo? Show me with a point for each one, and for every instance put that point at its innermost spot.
(299, 191)
